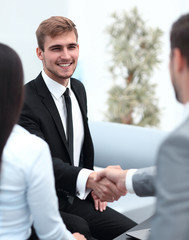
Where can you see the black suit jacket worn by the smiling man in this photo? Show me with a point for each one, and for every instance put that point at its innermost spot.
(40, 116)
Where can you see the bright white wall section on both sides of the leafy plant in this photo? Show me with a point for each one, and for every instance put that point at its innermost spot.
(94, 16)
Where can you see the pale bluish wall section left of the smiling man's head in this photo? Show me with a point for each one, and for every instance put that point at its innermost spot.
(19, 20)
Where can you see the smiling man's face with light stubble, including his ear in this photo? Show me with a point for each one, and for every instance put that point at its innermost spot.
(60, 56)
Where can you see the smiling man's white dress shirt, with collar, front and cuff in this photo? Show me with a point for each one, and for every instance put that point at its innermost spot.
(57, 90)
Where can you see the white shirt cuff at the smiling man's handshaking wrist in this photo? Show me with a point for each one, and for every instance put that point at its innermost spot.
(83, 175)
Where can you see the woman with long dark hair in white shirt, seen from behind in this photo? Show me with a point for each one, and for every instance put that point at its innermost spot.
(27, 193)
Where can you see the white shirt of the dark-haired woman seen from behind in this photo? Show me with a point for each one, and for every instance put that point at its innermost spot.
(27, 192)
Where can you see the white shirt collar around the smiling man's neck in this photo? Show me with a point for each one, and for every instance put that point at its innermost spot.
(56, 89)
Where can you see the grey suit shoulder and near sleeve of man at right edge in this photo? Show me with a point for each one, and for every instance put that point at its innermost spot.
(171, 220)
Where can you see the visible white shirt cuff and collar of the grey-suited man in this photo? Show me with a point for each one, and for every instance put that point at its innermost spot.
(131, 172)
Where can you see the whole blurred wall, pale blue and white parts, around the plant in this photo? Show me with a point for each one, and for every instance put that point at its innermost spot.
(19, 20)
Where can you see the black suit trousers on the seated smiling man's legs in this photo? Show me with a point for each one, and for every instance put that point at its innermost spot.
(85, 219)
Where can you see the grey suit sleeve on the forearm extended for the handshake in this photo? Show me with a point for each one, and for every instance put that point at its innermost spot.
(143, 181)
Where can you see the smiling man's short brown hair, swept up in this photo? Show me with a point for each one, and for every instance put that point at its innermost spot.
(53, 27)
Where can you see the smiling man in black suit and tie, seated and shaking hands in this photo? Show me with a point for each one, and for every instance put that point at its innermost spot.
(55, 109)
